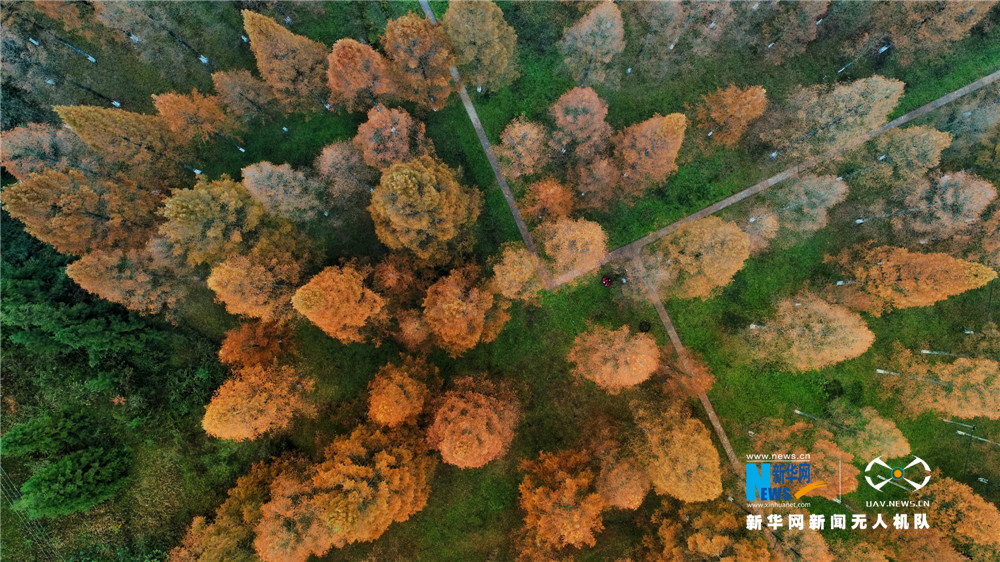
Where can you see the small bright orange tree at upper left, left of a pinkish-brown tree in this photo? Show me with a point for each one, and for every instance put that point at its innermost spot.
(194, 117)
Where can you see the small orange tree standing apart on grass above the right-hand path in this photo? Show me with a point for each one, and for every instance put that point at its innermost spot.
(727, 112)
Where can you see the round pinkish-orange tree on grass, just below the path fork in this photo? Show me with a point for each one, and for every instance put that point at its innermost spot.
(614, 359)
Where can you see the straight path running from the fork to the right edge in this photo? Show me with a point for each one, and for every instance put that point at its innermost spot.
(633, 248)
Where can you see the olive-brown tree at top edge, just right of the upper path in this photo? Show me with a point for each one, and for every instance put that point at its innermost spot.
(483, 44)
